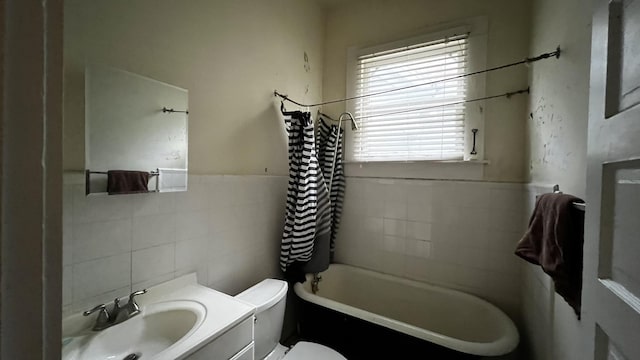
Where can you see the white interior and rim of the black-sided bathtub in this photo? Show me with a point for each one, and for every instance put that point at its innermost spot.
(449, 318)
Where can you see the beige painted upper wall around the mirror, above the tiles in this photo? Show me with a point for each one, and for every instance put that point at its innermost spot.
(229, 54)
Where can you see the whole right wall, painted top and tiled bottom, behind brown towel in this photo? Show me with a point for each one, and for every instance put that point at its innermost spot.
(557, 151)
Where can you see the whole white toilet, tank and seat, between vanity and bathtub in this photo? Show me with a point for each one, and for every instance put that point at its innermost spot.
(269, 299)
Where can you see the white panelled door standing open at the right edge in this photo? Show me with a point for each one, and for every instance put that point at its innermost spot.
(611, 287)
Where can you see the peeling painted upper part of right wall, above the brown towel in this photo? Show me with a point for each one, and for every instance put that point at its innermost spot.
(558, 105)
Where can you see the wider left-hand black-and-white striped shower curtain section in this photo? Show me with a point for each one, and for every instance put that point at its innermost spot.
(307, 195)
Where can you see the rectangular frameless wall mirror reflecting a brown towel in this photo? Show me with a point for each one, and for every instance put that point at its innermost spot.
(135, 133)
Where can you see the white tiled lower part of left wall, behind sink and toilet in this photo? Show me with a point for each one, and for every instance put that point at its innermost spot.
(225, 228)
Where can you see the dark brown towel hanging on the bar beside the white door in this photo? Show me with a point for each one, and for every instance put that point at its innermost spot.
(554, 241)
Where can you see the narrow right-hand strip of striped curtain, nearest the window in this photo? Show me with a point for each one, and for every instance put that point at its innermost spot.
(330, 156)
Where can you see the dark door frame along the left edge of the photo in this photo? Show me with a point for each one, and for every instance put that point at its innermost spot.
(31, 179)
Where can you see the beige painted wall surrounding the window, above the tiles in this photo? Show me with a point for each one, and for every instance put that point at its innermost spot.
(372, 22)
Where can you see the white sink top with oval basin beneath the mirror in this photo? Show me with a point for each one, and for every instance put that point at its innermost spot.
(177, 319)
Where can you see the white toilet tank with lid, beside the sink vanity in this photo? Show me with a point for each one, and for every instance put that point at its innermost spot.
(269, 299)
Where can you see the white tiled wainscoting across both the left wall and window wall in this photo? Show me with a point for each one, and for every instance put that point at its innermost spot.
(227, 229)
